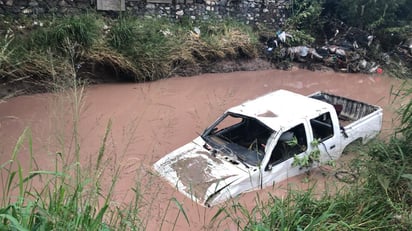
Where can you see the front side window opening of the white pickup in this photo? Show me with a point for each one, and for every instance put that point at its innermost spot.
(290, 143)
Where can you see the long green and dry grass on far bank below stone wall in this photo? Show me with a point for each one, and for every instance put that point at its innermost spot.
(136, 48)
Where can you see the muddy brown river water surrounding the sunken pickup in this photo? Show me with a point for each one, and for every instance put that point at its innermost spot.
(150, 120)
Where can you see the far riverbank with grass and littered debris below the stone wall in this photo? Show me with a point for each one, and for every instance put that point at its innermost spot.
(39, 54)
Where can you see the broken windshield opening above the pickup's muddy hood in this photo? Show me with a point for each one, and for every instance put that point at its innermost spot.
(239, 135)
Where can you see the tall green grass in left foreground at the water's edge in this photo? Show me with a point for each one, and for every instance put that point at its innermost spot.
(72, 195)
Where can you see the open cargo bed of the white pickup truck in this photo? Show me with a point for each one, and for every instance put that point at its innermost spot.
(348, 110)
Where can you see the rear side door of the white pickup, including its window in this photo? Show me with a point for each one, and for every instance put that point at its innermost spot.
(324, 131)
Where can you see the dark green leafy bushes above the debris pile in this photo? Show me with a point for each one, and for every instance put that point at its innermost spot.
(390, 21)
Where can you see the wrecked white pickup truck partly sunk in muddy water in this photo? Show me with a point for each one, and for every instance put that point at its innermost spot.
(249, 146)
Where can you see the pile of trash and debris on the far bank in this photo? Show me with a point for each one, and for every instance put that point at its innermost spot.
(352, 50)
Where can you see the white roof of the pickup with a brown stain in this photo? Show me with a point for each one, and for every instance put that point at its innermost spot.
(282, 109)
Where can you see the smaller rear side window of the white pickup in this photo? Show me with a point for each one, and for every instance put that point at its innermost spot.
(322, 127)
